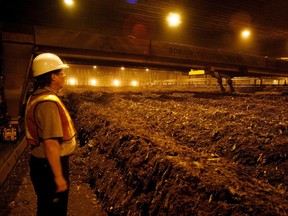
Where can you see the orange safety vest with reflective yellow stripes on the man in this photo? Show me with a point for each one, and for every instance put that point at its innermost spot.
(31, 128)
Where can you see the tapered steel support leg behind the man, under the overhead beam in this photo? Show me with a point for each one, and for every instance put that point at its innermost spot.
(17, 52)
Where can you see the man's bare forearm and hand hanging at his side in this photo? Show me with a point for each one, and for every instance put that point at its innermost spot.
(52, 150)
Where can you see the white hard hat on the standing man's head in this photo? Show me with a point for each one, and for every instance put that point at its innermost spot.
(45, 63)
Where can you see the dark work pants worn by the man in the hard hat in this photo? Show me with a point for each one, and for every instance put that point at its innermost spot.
(48, 201)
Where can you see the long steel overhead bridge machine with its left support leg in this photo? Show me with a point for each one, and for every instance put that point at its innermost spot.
(20, 45)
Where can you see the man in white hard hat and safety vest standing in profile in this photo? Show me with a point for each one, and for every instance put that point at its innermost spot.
(51, 135)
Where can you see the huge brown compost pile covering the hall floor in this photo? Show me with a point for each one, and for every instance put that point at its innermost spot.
(166, 151)
